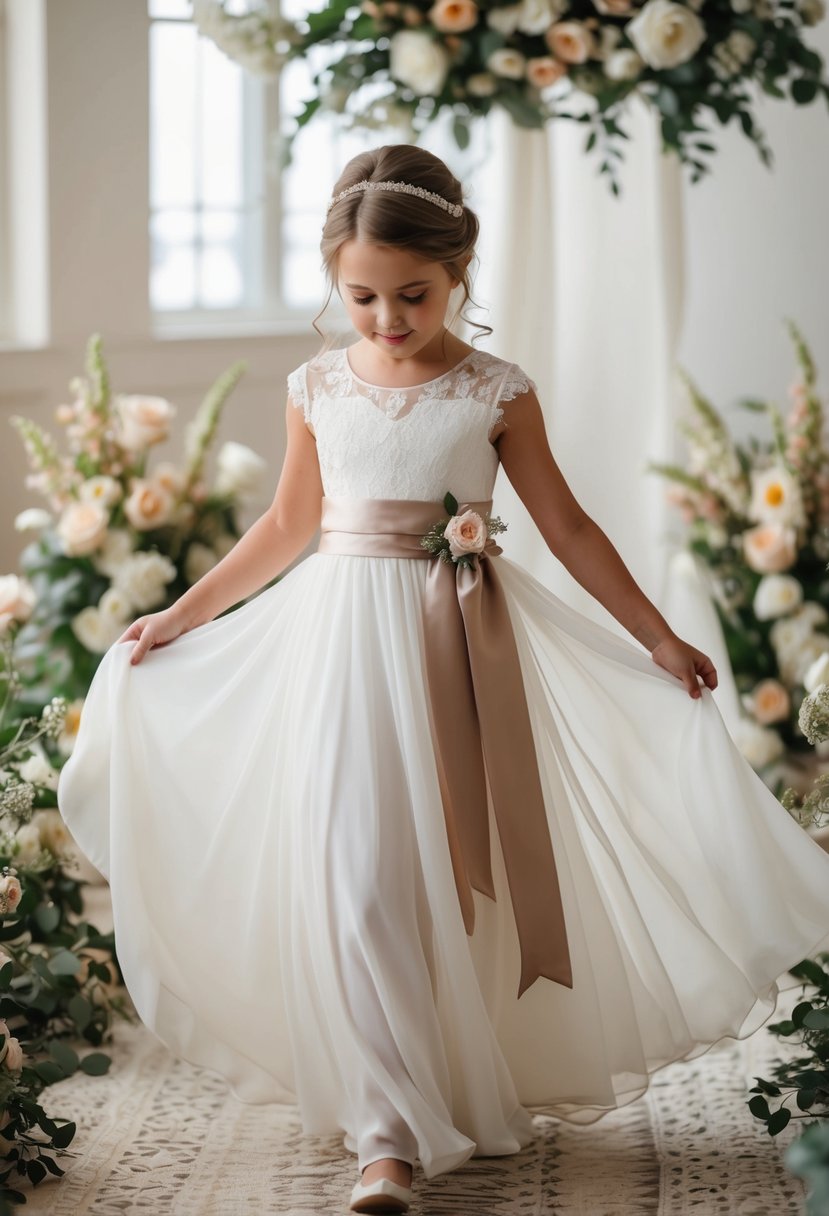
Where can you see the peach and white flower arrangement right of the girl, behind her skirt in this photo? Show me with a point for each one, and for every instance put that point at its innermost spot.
(758, 517)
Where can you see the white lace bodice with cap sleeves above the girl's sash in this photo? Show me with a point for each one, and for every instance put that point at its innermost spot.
(407, 443)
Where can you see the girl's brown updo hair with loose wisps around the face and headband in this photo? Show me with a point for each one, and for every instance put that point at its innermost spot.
(399, 219)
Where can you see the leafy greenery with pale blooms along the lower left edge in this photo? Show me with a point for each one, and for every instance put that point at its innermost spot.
(59, 975)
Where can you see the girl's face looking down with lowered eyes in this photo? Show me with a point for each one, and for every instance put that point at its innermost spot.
(390, 291)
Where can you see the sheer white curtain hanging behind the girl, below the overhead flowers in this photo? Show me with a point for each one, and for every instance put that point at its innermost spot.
(585, 291)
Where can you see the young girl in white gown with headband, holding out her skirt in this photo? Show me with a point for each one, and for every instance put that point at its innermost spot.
(405, 840)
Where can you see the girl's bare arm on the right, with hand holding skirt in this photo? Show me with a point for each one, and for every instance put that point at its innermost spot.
(578, 542)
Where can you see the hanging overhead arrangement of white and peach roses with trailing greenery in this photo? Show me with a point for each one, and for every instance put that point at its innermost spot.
(404, 63)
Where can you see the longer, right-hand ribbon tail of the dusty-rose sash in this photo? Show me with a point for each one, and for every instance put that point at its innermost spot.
(512, 769)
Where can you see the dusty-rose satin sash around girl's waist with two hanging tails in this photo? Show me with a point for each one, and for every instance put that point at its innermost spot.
(480, 720)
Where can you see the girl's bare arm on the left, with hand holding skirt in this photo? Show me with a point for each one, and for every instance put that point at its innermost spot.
(270, 545)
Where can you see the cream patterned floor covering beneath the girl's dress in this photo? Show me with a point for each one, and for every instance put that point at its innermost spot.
(157, 1135)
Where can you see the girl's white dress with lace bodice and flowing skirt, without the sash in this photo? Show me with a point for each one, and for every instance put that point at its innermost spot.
(263, 797)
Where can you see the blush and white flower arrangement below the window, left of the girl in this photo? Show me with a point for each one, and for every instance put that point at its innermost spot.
(122, 538)
